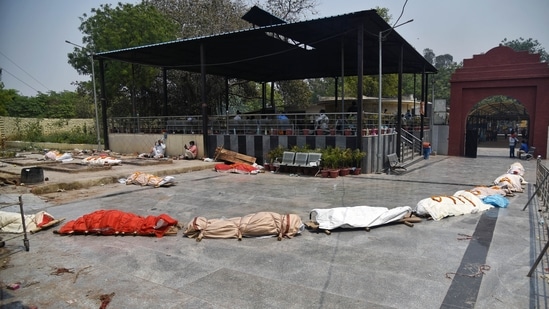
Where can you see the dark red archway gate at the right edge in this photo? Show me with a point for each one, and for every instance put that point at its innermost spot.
(501, 71)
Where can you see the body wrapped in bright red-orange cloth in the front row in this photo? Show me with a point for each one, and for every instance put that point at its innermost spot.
(116, 222)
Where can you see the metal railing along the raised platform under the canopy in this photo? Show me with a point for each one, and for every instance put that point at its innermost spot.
(258, 124)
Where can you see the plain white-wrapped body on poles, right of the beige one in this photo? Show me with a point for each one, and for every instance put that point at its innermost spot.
(357, 216)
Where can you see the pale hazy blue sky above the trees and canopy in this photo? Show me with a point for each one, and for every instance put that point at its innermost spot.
(33, 51)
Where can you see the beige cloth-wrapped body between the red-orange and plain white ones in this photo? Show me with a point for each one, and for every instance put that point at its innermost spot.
(252, 225)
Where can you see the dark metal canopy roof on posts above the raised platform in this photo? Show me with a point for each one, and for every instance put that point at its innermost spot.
(288, 51)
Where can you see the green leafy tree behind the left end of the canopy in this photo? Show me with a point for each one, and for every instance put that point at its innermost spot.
(124, 26)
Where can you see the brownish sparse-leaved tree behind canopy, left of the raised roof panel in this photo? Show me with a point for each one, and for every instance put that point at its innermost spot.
(196, 18)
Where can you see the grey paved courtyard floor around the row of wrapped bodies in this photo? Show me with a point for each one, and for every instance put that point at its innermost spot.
(430, 265)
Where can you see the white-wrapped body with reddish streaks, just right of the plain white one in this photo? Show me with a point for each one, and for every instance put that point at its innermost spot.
(461, 203)
